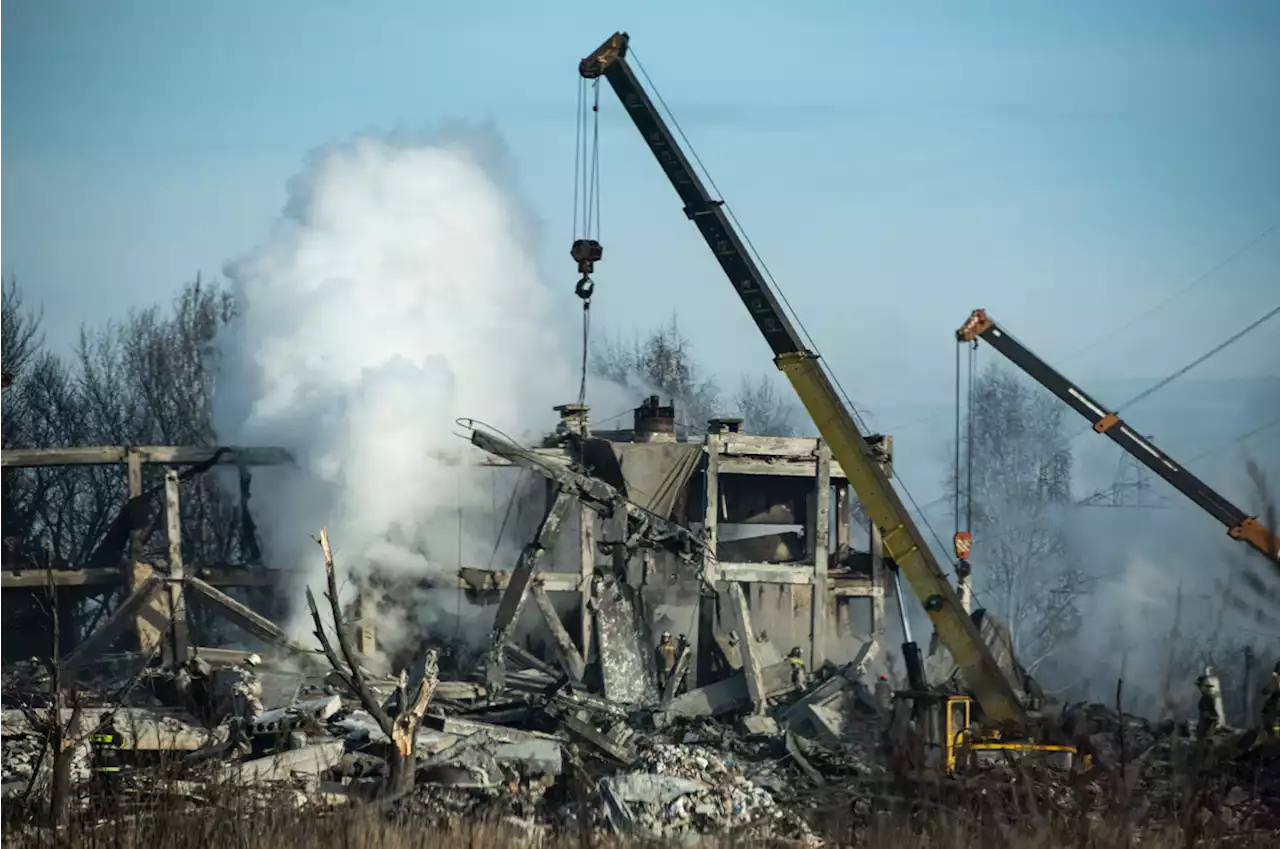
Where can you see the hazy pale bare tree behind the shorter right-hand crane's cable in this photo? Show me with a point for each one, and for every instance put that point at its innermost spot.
(1021, 490)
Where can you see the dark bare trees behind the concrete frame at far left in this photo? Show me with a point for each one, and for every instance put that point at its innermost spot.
(147, 380)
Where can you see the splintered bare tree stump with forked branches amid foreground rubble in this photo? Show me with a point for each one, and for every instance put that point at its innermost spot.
(401, 729)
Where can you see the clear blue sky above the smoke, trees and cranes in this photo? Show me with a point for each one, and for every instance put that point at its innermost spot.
(1064, 166)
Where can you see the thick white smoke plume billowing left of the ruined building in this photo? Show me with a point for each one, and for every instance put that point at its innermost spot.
(397, 294)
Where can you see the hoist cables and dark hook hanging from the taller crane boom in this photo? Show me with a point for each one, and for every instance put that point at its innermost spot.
(587, 211)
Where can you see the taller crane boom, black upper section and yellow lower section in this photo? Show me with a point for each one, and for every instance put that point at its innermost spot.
(903, 540)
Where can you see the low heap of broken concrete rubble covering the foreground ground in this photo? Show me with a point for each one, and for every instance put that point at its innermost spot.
(546, 754)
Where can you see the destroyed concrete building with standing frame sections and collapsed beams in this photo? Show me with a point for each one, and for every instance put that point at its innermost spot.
(643, 514)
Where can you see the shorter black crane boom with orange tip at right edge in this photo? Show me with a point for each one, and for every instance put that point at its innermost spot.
(1240, 526)
